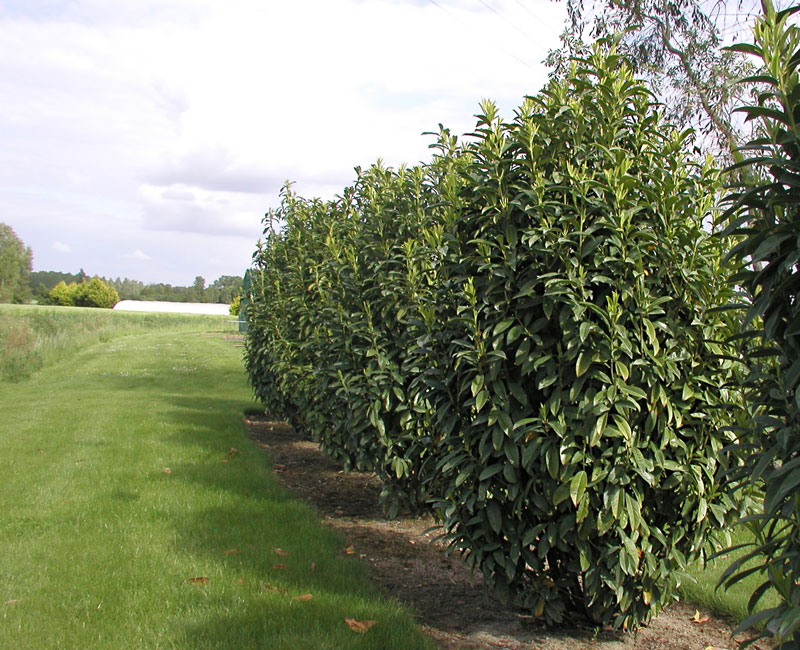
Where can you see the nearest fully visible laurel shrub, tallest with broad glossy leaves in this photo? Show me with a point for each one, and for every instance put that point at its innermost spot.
(579, 402)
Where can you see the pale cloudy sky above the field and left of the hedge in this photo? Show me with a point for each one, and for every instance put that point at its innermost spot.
(147, 138)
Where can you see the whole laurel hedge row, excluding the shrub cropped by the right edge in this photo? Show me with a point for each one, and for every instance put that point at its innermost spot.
(522, 334)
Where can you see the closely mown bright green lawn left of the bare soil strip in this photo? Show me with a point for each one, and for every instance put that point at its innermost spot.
(120, 485)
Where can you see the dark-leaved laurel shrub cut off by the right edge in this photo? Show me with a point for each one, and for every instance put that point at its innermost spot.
(765, 213)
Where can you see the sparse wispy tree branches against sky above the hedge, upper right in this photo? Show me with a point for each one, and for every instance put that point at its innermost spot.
(677, 46)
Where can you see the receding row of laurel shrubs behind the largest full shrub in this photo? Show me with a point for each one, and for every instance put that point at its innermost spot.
(341, 292)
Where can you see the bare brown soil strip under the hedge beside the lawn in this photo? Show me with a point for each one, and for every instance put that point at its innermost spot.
(449, 600)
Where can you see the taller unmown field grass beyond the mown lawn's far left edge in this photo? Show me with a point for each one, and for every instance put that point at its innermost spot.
(34, 337)
